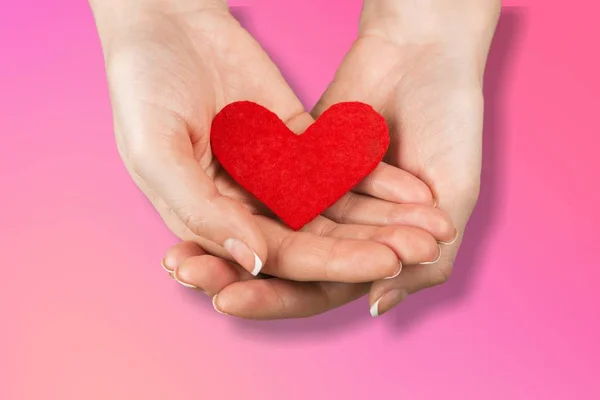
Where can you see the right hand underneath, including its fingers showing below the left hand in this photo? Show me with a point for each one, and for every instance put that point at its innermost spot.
(421, 64)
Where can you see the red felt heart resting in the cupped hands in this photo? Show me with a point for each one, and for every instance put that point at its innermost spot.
(299, 176)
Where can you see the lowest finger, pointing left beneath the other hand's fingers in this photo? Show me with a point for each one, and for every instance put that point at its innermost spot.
(279, 299)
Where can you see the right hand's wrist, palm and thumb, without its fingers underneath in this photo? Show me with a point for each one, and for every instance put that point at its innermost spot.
(421, 65)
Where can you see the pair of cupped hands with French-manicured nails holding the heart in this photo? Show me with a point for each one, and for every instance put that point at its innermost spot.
(172, 65)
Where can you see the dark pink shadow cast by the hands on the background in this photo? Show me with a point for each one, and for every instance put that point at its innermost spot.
(477, 236)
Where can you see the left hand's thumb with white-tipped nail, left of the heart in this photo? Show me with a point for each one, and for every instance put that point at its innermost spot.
(171, 171)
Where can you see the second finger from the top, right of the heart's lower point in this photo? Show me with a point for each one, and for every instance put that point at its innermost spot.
(364, 210)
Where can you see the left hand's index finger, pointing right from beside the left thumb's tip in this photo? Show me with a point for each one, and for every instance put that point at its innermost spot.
(306, 256)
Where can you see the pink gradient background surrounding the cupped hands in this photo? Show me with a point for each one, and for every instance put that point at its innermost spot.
(87, 312)
